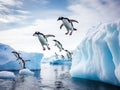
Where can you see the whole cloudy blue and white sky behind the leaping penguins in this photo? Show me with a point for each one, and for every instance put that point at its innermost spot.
(19, 19)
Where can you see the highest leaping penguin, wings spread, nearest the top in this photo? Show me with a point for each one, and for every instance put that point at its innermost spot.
(68, 23)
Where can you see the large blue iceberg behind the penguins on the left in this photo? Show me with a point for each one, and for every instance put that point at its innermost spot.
(8, 60)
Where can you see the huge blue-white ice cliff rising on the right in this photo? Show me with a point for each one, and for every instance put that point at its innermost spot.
(98, 55)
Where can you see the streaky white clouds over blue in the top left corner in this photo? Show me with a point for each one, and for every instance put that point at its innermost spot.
(11, 12)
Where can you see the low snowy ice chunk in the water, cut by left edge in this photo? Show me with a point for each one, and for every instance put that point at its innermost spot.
(7, 75)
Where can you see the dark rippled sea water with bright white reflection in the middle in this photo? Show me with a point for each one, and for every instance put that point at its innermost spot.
(53, 77)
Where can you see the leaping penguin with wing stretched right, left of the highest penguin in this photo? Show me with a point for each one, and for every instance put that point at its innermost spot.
(43, 39)
